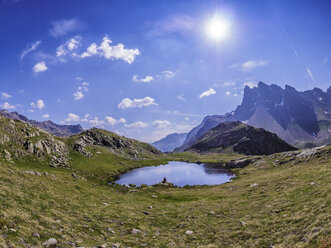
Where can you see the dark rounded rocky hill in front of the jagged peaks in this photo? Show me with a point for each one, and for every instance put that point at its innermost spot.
(240, 138)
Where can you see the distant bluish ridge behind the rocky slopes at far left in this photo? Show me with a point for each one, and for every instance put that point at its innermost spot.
(48, 126)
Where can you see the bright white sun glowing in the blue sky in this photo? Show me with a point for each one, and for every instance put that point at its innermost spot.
(217, 28)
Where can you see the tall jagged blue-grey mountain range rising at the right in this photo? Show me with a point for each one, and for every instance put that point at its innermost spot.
(297, 117)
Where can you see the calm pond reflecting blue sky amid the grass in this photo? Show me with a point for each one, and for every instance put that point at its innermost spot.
(178, 173)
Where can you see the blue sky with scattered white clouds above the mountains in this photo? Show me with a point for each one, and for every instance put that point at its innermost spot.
(145, 69)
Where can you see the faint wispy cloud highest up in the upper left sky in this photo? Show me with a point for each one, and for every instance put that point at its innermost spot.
(62, 27)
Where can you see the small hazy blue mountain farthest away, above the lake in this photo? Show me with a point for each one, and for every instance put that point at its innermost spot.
(170, 142)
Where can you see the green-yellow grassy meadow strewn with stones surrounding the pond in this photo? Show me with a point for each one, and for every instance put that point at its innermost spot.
(277, 202)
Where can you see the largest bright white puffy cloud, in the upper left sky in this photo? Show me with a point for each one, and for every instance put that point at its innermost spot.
(111, 52)
